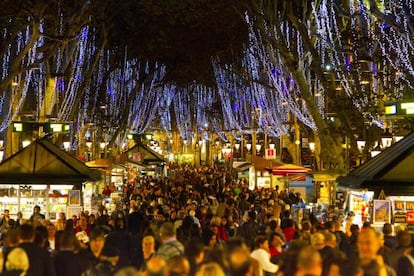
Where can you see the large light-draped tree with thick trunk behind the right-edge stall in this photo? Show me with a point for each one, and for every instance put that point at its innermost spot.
(298, 40)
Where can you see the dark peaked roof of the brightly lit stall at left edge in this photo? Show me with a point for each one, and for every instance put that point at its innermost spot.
(44, 163)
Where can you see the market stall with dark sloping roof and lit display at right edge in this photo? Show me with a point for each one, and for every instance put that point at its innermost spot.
(389, 175)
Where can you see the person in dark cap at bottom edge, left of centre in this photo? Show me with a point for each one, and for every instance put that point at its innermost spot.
(107, 262)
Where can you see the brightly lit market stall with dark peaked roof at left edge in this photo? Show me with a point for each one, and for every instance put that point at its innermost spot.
(42, 174)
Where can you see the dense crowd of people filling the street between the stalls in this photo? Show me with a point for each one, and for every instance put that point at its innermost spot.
(201, 221)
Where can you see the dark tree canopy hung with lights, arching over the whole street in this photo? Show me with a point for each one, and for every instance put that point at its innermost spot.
(201, 66)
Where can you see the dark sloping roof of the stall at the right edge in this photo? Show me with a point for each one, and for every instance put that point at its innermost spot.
(390, 171)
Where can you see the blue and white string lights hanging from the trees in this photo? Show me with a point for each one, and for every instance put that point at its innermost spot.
(236, 105)
